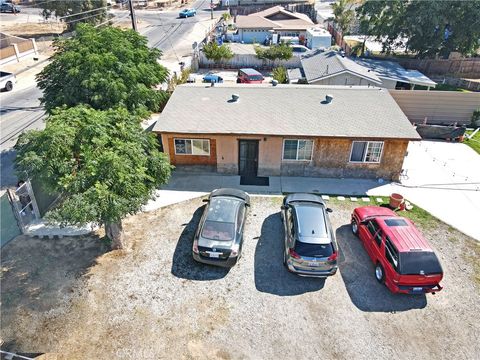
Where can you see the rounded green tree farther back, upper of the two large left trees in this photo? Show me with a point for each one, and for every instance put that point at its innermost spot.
(105, 68)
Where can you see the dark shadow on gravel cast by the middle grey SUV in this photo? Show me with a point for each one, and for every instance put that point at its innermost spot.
(271, 276)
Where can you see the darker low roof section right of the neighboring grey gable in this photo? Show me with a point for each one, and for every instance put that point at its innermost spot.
(394, 71)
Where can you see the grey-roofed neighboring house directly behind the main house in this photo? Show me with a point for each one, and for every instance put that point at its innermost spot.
(333, 68)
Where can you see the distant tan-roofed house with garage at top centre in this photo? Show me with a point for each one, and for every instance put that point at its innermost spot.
(273, 23)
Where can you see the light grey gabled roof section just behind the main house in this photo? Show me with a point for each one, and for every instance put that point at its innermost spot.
(320, 65)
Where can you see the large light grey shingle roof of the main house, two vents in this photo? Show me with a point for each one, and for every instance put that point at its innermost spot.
(355, 112)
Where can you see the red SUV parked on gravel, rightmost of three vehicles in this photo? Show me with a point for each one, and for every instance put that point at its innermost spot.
(404, 261)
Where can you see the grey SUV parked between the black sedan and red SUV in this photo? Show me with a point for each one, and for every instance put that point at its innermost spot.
(310, 245)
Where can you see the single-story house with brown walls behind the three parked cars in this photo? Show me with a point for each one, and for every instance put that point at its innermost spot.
(265, 130)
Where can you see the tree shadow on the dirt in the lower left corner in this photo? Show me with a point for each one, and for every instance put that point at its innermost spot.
(38, 274)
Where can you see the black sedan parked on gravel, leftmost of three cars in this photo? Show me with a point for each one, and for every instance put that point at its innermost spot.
(219, 236)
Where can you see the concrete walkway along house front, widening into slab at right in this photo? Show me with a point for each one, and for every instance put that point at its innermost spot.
(442, 178)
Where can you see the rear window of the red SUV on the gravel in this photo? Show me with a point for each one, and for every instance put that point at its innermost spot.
(419, 263)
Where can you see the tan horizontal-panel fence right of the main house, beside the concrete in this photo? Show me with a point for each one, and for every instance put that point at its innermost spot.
(437, 107)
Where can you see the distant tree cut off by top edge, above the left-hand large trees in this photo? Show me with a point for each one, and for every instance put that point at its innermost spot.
(74, 12)
